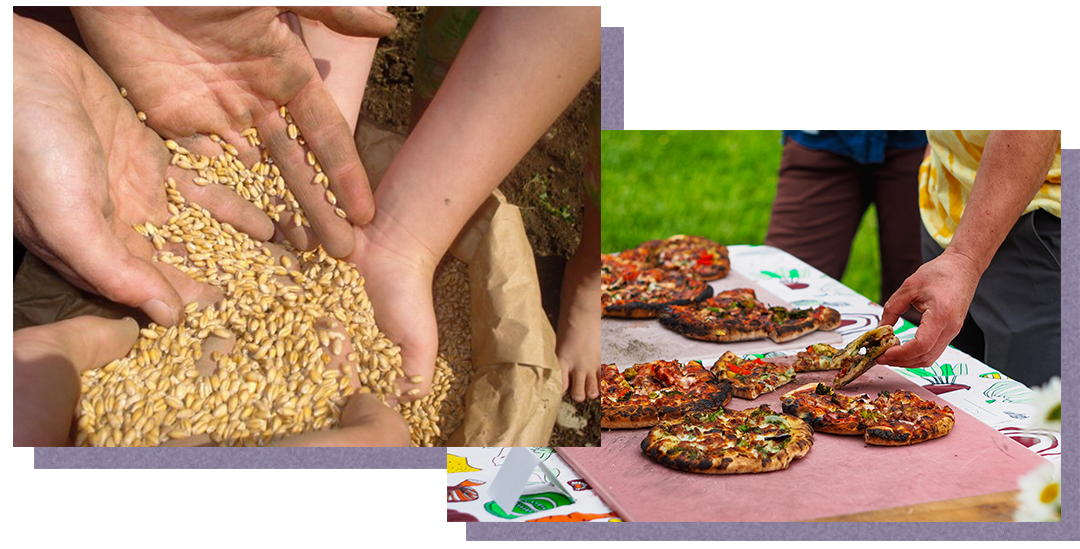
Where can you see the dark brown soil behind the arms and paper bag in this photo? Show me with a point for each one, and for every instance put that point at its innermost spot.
(546, 184)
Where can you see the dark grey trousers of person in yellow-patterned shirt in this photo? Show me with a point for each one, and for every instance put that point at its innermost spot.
(1015, 323)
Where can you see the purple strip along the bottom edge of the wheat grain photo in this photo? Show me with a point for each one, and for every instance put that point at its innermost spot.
(239, 459)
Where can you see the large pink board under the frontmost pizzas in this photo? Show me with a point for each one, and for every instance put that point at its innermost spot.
(841, 475)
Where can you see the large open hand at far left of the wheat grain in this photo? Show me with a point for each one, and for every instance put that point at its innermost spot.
(87, 171)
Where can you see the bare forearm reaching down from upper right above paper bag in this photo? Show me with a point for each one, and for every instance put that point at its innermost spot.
(516, 74)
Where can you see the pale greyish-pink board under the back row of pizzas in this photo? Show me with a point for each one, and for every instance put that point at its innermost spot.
(627, 342)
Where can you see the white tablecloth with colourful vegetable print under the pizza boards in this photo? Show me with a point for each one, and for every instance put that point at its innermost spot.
(958, 379)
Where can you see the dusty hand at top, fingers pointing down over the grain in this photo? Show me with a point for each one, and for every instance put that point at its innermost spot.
(226, 70)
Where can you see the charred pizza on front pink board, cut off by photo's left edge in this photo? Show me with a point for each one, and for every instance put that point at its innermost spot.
(646, 394)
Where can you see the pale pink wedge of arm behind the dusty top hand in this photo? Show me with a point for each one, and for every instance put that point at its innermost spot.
(344, 63)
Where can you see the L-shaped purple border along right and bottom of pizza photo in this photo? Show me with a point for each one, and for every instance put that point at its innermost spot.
(1068, 530)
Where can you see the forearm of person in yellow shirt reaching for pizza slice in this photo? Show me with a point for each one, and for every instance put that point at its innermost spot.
(1014, 167)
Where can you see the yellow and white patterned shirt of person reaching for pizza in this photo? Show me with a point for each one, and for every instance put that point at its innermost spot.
(947, 177)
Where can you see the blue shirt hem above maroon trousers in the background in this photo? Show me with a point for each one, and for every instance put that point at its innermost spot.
(863, 146)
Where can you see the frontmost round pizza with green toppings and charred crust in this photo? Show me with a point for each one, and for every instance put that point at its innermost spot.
(728, 443)
